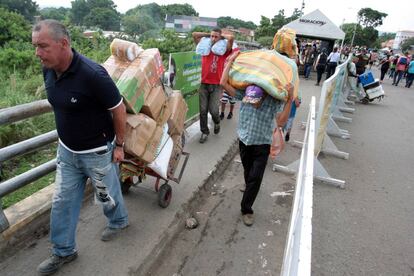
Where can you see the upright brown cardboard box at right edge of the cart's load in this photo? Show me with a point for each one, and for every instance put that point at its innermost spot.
(178, 113)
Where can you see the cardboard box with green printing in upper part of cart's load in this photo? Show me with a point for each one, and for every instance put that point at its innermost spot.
(133, 85)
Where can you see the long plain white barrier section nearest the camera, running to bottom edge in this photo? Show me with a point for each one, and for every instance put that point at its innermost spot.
(297, 257)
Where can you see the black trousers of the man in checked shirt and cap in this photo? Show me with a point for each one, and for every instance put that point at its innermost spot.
(254, 159)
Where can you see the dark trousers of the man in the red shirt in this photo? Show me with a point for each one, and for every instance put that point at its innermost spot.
(209, 97)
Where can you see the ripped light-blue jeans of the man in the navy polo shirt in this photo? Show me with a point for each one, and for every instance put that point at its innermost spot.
(71, 174)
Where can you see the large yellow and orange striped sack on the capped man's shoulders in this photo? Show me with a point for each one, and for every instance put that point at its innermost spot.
(267, 69)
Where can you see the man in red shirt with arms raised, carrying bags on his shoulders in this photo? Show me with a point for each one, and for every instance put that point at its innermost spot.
(211, 70)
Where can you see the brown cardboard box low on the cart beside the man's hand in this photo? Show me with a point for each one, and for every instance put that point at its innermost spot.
(140, 137)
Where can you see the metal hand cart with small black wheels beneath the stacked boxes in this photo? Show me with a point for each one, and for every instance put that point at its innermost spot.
(133, 171)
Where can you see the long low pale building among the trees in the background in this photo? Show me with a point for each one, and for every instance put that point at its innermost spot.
(184, 24)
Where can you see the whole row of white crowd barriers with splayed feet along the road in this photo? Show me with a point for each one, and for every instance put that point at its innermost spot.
(297, 257)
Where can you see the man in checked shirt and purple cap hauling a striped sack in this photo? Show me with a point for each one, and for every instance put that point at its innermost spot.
(255, 128)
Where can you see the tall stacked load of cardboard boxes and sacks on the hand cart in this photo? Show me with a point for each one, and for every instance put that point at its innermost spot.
(155, 116)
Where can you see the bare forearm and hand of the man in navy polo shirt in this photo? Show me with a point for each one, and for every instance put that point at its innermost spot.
(119, 120)
